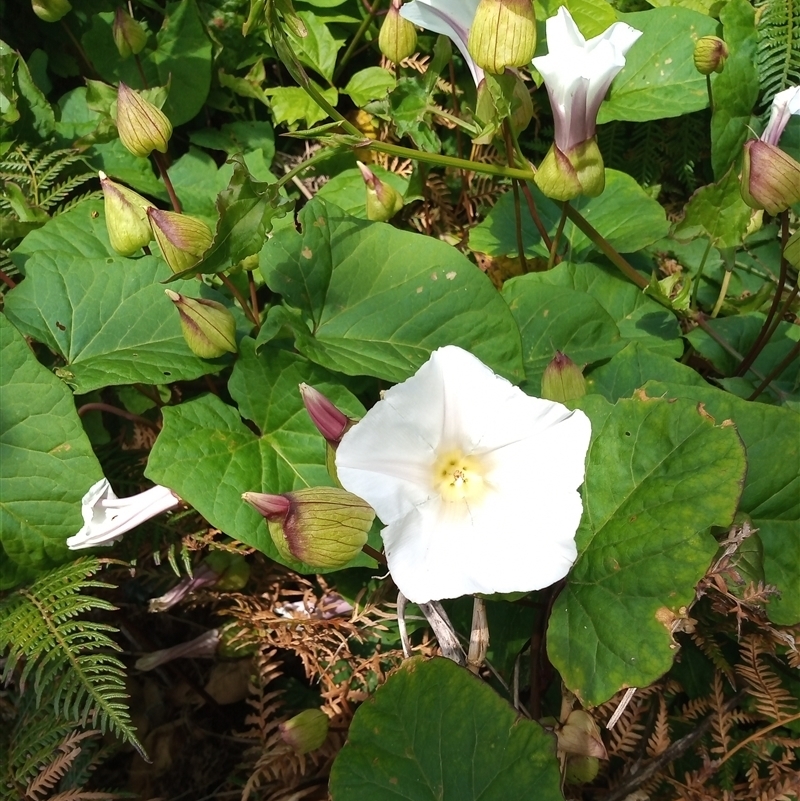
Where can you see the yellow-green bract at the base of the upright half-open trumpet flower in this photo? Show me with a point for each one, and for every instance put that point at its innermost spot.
(564, 176)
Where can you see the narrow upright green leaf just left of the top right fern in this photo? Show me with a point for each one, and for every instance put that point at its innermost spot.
(735, 89)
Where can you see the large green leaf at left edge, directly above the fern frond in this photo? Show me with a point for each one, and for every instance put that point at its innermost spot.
(46, 463)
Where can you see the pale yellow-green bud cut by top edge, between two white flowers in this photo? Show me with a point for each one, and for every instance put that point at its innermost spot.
(503, 34)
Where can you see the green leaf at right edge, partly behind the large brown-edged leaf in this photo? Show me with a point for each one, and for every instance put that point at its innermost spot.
(771, 496)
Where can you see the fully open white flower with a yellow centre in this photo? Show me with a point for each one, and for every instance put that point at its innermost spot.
(475, 481)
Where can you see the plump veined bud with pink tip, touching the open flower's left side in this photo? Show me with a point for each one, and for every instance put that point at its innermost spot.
(325, 527)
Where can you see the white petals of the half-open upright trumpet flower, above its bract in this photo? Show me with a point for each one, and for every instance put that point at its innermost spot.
(578, 73)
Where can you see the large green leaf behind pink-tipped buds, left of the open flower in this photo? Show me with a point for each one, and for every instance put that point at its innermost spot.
(209, 456)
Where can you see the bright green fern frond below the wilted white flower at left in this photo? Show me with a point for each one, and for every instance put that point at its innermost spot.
(65, 654)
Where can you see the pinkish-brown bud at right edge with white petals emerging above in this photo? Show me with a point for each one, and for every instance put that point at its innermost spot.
(770, 177)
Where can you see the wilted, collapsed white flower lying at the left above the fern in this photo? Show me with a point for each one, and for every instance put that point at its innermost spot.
(106, 518)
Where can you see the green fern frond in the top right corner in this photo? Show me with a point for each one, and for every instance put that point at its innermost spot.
(778, 52)
